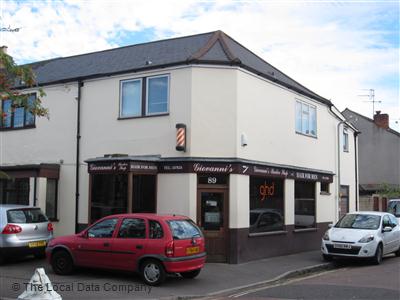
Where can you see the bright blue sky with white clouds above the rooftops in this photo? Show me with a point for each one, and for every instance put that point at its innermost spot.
(338, 49)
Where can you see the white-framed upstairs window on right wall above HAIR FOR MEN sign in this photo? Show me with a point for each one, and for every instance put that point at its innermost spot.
(306, 119)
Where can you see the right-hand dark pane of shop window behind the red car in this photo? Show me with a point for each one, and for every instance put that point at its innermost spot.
(144, 194)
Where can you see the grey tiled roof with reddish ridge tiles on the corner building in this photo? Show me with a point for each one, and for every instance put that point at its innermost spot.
(207, 48)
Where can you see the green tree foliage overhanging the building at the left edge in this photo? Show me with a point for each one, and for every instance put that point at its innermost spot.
(12, 75)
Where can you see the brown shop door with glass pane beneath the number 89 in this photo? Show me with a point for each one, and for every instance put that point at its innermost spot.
(212, 217)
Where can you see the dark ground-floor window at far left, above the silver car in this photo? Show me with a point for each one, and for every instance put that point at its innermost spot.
(14, 191)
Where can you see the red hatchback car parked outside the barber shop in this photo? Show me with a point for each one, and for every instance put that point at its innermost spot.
(150, 244)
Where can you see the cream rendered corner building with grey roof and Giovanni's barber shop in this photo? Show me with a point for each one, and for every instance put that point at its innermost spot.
(262, 160)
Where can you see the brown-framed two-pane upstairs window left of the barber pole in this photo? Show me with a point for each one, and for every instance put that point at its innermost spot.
(143, 97)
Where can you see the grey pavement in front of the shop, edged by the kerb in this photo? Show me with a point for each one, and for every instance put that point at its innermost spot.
(215, 279)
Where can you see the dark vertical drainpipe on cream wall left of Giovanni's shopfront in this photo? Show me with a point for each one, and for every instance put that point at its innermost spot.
(78, 139)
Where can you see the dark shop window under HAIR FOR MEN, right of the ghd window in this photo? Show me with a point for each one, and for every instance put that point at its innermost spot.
(304, 205)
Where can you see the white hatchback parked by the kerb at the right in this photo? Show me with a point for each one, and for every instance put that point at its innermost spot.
(362, 235)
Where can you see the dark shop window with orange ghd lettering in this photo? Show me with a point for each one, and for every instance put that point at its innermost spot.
(266, 205)
